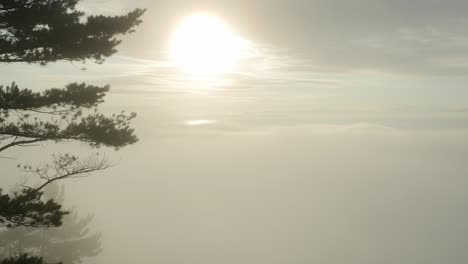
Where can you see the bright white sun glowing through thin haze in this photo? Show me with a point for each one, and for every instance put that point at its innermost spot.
(204, 45)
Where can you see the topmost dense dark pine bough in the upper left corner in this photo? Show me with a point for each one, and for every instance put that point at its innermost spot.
(50, 30)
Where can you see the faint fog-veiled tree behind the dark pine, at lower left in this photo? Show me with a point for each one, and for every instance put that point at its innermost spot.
(71, 243)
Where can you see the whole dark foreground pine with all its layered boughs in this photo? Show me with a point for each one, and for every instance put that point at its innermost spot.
(41, 32)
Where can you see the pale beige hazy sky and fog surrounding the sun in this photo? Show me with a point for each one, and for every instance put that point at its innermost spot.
(342, 139)
